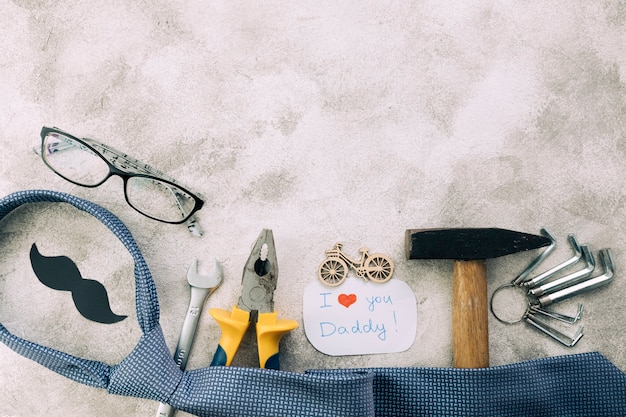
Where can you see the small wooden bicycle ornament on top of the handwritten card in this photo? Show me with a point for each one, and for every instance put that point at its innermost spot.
(334, 269)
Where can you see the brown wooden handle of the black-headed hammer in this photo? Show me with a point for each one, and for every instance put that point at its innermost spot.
(470, 333)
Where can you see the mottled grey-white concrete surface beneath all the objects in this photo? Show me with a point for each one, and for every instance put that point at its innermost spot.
(327, 122)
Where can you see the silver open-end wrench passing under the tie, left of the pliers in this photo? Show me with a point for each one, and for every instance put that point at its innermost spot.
(201, 286)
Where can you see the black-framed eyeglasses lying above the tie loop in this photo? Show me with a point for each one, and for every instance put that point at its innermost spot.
(89, 163)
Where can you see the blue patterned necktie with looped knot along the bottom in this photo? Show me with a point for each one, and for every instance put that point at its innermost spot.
(575, 385)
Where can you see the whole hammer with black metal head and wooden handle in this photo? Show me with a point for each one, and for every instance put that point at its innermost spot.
(469, 247)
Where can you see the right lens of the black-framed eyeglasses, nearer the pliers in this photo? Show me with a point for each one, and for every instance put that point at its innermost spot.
(159, 199)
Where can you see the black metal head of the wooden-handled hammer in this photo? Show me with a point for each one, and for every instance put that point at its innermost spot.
(468, 243)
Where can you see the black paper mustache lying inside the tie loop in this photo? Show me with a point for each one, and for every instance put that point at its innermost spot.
(61, 273)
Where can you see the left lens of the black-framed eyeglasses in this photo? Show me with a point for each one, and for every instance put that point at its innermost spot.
(73, 160)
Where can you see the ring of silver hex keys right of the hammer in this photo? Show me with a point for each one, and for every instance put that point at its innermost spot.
(546, 289)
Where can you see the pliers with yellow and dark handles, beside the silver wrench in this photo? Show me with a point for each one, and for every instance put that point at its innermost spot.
(256, 303)
